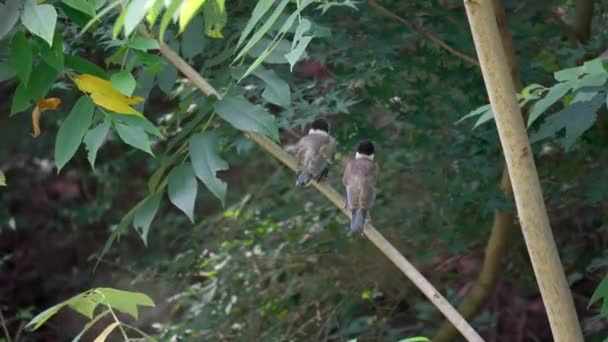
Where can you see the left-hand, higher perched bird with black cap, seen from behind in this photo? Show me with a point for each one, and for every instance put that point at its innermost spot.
(315, 153)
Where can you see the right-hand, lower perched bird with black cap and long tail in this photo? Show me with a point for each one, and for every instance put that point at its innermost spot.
(359, 179)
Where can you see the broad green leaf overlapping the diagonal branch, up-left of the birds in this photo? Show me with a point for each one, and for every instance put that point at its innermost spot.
(244, 115)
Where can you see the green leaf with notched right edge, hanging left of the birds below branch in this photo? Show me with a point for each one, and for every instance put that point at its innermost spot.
(207, 162)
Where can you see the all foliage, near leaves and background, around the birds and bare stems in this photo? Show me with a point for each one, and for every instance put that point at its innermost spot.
(263, 260)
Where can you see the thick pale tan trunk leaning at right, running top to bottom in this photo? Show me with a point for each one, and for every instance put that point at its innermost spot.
(522, 171)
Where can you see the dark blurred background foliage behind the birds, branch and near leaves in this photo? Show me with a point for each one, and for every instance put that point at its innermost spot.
(274, 262)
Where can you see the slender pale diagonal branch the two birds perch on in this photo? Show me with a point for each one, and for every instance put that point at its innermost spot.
(372, 234)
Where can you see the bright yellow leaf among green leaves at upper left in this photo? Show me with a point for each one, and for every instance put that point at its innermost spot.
(105, 95)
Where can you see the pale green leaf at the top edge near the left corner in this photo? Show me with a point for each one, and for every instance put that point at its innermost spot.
(39, 19)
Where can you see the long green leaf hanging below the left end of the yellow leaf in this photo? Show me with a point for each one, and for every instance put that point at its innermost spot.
(72, 131)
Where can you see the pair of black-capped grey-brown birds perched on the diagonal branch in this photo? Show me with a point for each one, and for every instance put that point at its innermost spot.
(315, 153)
